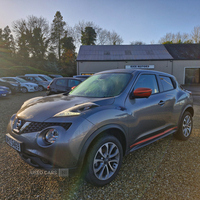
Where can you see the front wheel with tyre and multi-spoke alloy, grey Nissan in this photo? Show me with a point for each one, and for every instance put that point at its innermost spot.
(103, 161)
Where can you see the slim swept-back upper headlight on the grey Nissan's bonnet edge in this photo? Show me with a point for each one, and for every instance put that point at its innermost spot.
(76, 110)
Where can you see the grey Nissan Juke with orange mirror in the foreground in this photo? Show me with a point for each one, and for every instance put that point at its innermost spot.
(104, 118)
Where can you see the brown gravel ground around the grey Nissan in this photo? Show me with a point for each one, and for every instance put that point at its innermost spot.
(166, 169)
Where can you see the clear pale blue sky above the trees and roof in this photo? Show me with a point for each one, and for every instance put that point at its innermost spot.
(133, 20)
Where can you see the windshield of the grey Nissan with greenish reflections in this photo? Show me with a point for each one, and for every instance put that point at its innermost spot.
(102, 85)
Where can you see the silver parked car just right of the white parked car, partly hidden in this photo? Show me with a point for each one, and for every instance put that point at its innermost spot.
(42, 85)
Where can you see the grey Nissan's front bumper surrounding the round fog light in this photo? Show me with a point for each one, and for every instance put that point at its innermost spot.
(64, 153)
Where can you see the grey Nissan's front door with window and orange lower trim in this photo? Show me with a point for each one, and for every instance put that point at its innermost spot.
(149, 117)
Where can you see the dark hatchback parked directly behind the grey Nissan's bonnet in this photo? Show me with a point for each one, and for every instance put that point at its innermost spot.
(61, 85)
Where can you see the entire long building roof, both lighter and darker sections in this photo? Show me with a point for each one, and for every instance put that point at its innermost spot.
(139, 52)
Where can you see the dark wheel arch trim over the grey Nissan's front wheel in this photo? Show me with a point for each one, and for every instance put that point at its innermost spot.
(113, 130)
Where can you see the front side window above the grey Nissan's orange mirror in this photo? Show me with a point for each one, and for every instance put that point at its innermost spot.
(147, 81)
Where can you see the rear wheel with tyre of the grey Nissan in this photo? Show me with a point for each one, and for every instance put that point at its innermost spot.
(185, 127)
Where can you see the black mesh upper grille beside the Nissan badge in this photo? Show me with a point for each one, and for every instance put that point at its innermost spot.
(38, 126)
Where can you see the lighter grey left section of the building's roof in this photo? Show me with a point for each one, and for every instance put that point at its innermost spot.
(123, 52)
